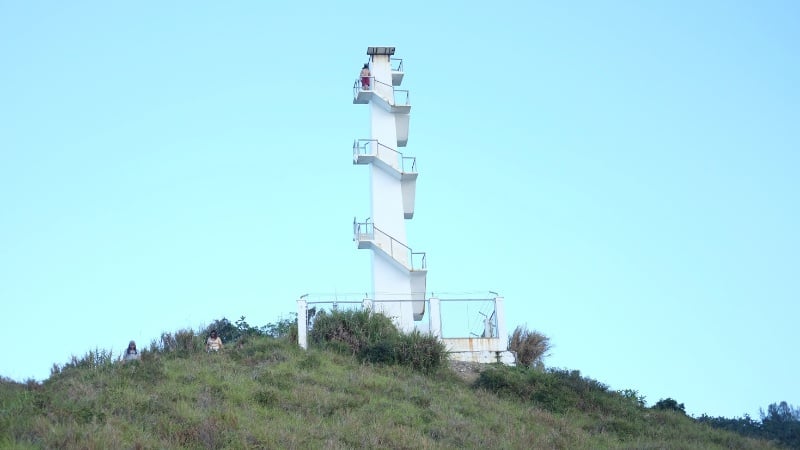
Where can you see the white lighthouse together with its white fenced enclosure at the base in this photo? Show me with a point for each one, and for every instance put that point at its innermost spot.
(399, 274)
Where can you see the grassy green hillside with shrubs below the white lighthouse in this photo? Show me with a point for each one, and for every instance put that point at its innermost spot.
(262, 391)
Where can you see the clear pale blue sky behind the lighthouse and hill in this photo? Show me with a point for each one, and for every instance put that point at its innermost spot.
(626, 174)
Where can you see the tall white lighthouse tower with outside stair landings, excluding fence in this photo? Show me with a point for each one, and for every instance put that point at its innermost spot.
(398, 273)
